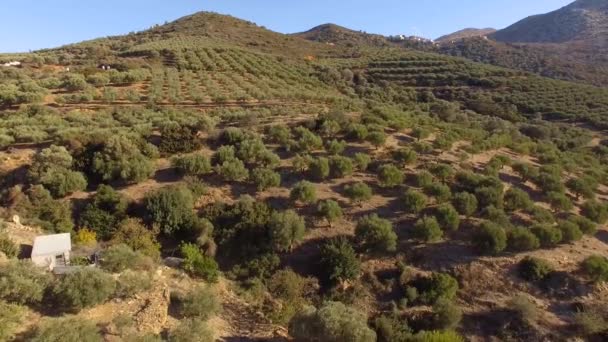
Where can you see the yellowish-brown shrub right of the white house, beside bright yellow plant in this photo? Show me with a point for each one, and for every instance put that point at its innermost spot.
(134, 234)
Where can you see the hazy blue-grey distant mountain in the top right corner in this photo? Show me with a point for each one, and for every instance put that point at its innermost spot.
(582, 20)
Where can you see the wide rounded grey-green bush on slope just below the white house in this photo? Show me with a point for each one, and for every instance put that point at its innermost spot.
(83, 288)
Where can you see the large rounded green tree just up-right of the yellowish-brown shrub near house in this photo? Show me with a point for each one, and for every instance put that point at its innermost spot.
(170, 208)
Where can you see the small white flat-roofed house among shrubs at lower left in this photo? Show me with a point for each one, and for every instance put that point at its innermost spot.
(50, 251)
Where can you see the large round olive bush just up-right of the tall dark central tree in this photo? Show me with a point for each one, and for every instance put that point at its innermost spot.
(376, 234)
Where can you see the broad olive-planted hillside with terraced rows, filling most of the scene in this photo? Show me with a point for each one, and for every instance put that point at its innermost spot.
(221, 181)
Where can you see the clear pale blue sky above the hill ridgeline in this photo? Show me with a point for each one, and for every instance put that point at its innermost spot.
(34, 24)
